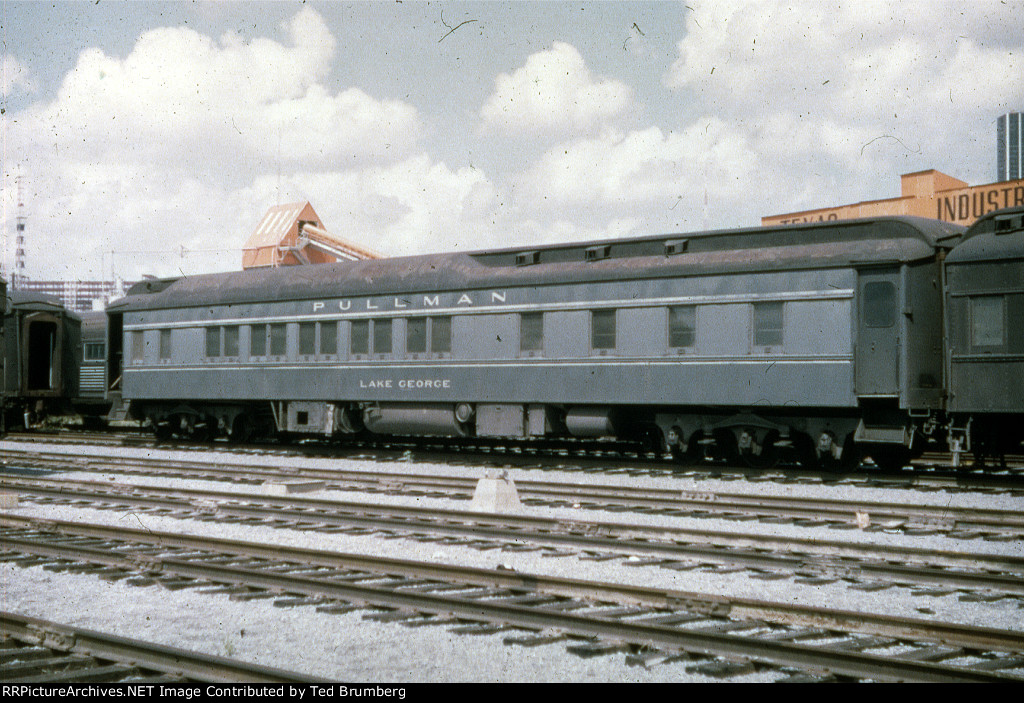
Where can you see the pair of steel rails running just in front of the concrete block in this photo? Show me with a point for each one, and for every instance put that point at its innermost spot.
(678, 544)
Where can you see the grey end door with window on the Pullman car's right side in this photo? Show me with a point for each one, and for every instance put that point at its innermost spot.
(877, 372)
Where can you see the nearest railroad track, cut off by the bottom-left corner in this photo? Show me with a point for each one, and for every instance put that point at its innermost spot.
(35, 651)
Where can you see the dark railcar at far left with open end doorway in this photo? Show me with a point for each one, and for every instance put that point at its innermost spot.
(42, 356)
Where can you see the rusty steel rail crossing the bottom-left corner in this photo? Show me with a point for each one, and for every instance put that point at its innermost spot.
(170, 661)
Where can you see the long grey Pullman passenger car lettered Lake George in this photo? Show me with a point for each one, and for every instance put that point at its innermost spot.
(819, 341)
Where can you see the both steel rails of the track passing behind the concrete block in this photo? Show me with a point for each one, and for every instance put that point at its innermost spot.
(946, 517)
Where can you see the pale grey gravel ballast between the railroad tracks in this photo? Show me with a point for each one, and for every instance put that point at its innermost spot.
(349, 648)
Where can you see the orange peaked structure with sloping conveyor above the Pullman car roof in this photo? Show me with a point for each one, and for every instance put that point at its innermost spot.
(292, 235)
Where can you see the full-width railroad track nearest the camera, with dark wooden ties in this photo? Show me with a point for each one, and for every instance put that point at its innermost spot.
(722, 637)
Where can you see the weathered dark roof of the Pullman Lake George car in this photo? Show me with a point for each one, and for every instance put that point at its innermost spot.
(837, 244)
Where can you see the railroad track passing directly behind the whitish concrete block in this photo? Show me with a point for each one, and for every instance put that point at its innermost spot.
(952, 520)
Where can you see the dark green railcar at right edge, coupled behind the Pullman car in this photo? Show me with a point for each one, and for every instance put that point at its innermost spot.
(986, 331)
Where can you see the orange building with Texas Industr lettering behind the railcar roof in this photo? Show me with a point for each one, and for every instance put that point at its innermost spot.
(926, 194)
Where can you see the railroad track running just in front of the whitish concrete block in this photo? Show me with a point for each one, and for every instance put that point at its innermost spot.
(818, 561)
